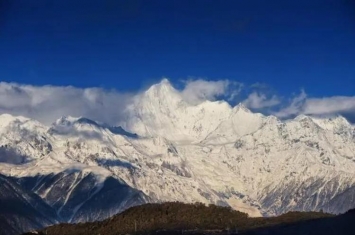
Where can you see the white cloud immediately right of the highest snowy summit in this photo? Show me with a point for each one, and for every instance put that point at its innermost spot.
(197, 91)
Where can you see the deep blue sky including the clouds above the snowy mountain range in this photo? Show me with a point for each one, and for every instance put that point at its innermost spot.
(278, 57)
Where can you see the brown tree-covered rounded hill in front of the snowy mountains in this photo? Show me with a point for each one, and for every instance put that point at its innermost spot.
(175, 217)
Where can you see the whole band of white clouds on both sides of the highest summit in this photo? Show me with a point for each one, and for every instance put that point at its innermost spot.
(48, 103)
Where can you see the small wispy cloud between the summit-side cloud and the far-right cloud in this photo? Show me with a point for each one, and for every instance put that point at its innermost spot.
(258, 100)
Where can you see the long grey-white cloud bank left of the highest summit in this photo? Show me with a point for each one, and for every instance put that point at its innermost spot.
(47, 103)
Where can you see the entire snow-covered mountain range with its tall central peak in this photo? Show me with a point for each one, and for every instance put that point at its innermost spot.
(170, 150)
